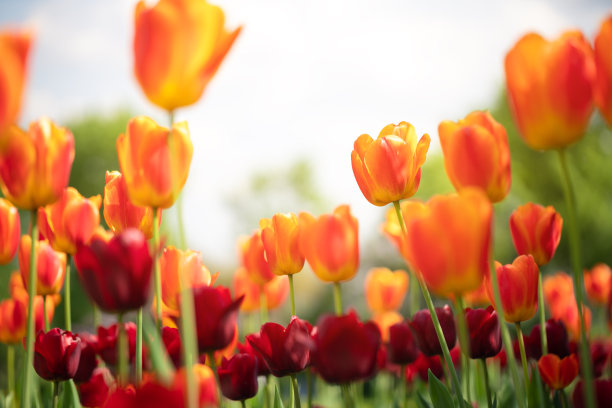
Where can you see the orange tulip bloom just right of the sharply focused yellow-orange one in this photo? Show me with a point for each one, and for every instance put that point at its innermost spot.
(476, 154)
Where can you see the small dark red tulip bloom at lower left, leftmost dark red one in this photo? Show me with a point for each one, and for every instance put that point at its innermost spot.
(56, 354)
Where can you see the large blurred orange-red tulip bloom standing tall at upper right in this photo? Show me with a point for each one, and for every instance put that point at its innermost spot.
(550, 87)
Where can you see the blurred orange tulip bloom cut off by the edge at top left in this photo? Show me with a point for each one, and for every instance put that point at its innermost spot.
(14, 53)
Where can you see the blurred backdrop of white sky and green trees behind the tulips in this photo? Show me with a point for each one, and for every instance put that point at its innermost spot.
(275, 127)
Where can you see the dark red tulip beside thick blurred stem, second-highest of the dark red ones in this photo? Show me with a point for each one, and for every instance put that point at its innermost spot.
(216, 315)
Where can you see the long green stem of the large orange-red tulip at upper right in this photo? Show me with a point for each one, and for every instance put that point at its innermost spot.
(574, 245)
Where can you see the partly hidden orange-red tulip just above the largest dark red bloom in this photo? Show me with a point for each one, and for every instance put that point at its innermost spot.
(119, 212)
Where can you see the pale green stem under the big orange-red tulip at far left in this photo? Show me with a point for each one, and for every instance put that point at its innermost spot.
(26, 391)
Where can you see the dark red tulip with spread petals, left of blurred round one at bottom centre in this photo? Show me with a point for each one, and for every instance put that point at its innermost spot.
(285, 351)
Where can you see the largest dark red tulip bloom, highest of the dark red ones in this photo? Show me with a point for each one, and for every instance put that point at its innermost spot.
(116, 274)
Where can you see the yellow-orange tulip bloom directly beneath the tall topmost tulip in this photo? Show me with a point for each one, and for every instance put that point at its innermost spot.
(154, 161)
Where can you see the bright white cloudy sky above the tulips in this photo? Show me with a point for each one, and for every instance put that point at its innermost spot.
(304, 79)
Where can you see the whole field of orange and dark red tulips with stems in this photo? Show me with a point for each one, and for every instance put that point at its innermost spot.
(180, 338)
